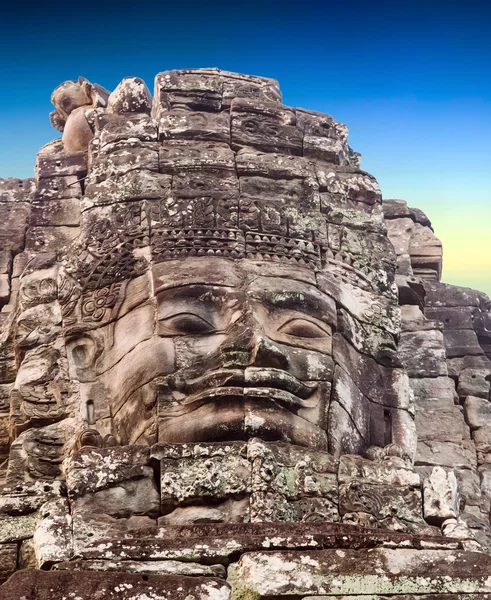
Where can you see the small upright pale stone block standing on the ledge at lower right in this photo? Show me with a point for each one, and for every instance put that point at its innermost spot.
(440, 496)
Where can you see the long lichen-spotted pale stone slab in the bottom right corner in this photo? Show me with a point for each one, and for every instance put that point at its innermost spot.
(377, 571)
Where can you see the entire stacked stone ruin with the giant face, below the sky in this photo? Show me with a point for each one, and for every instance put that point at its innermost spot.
(228, 369)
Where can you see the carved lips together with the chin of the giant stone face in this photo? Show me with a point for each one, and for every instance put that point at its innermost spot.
(240, 404)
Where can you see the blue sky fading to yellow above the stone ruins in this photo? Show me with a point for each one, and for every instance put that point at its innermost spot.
(411, 80)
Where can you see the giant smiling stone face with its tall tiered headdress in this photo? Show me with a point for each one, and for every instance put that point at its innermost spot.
(209, 301)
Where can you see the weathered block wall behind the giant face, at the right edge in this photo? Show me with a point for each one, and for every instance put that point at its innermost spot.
(443, 341)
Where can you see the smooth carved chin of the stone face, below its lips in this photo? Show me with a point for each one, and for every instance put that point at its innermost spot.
(241, 419)
